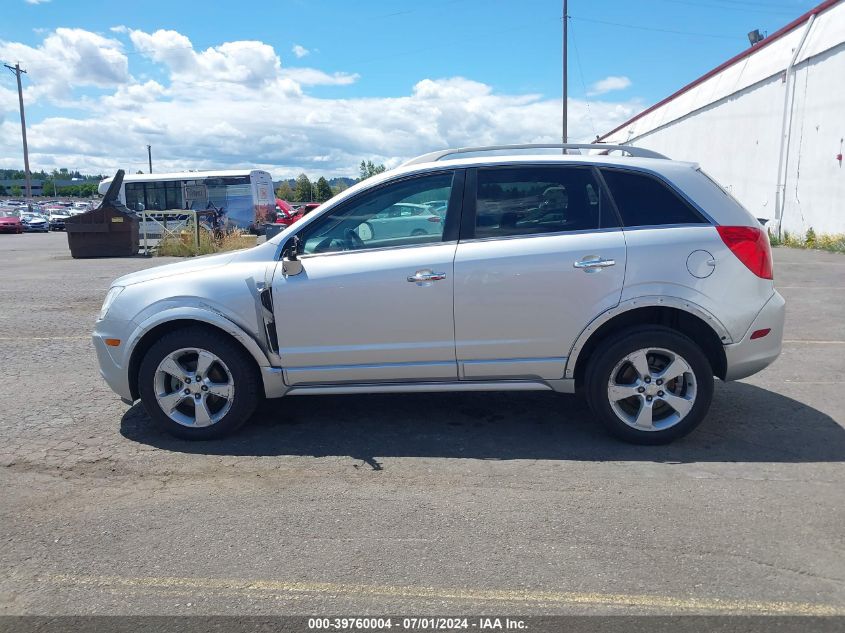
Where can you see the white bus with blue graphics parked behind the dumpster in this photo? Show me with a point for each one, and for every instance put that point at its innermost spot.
(245, 198)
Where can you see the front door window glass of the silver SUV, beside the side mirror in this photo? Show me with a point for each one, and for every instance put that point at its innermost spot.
(399, 214)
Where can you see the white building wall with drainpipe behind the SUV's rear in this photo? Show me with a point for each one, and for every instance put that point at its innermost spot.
(732, 127)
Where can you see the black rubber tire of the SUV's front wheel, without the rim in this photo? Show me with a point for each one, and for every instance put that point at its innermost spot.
(241, 366)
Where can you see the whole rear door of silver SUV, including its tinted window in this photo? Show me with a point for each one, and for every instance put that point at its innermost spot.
(541, 254)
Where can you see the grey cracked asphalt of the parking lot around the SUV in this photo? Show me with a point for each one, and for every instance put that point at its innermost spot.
(412, 504)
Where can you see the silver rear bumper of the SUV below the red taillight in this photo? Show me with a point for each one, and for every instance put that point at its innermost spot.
(748, 356)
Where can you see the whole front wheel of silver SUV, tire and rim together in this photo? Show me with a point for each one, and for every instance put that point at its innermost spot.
(197, 384)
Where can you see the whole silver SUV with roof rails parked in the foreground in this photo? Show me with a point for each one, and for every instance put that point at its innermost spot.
(630, 279)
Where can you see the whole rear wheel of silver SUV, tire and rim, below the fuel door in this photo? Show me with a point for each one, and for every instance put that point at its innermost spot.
(649, 385)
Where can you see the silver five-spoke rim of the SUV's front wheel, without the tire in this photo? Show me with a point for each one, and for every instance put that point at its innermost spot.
(194, 387)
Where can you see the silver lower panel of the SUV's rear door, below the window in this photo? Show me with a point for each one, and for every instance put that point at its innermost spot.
(521, 302)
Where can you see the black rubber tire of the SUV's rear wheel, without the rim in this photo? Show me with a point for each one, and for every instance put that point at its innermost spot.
(611, 352)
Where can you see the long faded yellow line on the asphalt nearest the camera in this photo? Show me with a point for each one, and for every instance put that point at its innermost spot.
(236, 586)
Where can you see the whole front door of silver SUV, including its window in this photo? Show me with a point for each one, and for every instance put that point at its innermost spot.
(374, 305)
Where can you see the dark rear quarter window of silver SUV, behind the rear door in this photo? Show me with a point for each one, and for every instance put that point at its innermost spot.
(646, 201)
